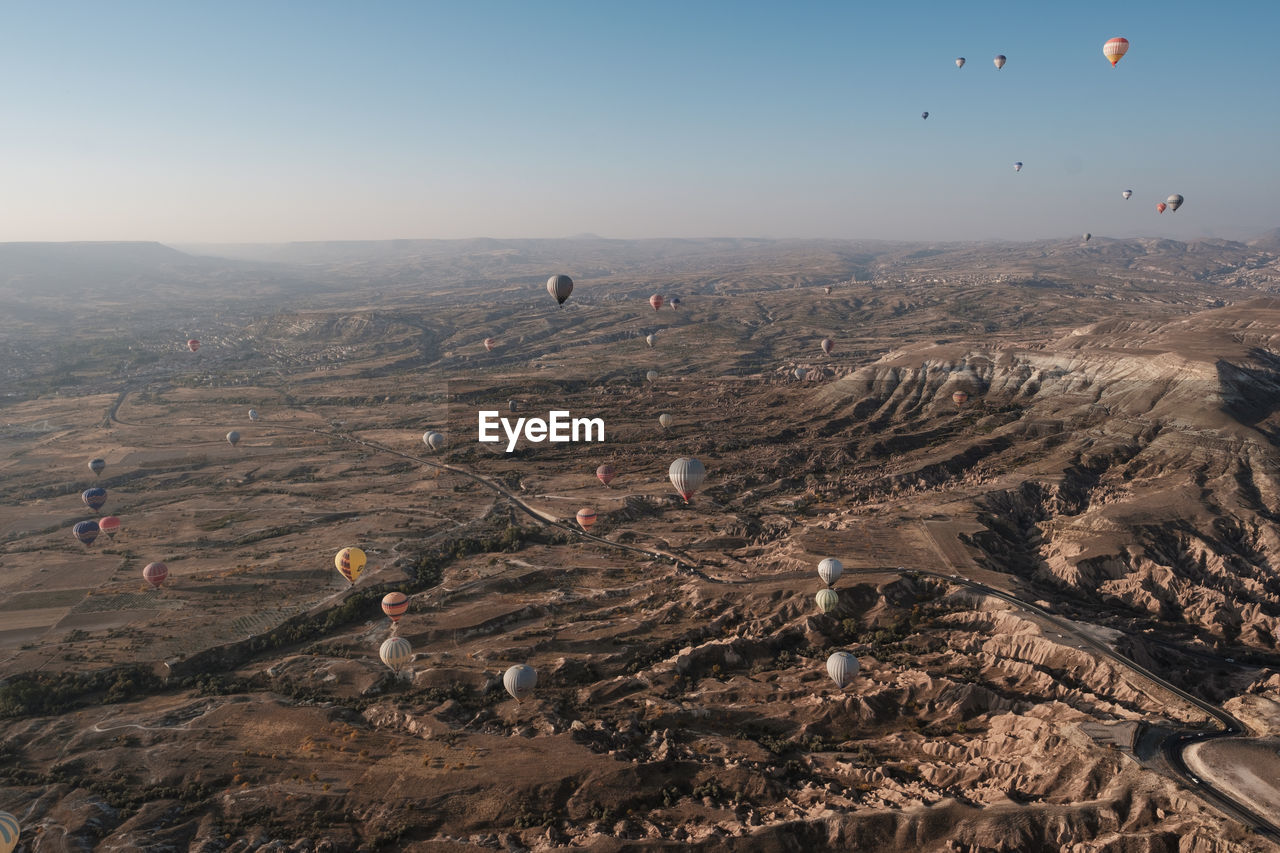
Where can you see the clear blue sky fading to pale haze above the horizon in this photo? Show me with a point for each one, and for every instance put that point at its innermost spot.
(269, 121)
